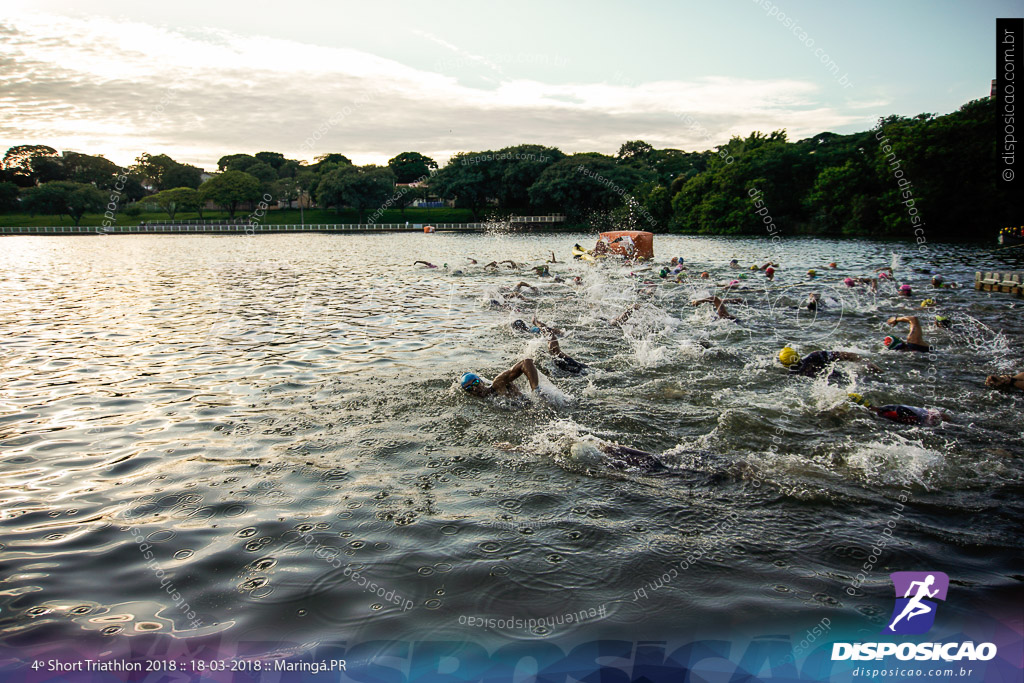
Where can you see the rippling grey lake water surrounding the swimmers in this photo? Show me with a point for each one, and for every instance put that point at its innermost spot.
(259, 424)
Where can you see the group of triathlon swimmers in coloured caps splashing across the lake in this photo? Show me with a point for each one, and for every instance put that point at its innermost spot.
(814, 365)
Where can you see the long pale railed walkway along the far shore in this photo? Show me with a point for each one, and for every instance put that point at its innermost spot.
(247, 228)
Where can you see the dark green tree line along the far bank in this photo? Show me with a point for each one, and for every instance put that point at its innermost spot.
(827, 185)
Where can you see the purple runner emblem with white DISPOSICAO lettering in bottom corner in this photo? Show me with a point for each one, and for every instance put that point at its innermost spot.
(914, 614)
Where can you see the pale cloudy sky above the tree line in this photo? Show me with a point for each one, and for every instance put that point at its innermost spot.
(200, 80)
